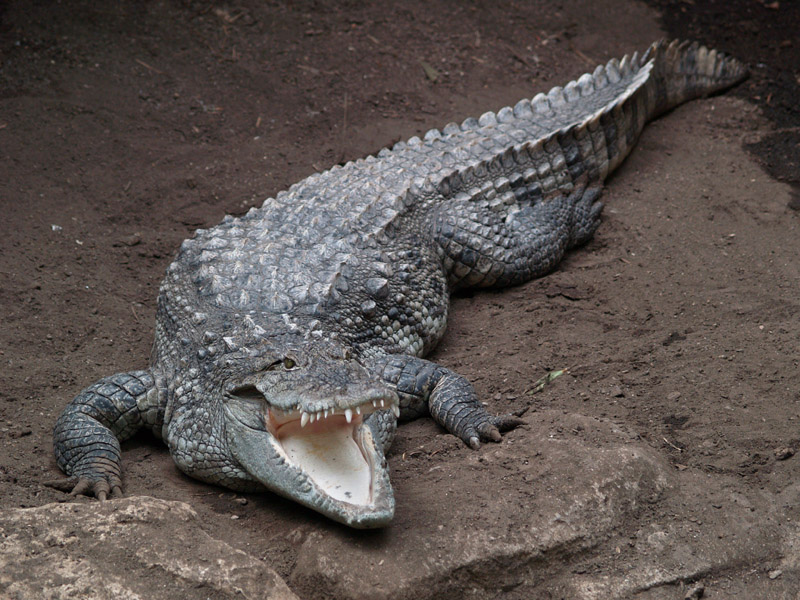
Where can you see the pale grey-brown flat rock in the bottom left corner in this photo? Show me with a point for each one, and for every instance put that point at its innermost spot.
(134, 548)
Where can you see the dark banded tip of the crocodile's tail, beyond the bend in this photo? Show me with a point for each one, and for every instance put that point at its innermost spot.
(685, 70)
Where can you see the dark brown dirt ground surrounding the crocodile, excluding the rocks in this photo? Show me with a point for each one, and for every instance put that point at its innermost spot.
(126, 126)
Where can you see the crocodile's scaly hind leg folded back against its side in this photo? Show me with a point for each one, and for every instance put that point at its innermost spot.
(486, 247)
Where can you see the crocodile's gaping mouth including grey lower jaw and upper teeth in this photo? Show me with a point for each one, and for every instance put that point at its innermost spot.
(330, 460)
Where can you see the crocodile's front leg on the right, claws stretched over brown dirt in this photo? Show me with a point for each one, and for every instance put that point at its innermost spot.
(451, 400)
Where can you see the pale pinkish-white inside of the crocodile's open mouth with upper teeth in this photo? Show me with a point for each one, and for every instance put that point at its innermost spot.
(328, 447)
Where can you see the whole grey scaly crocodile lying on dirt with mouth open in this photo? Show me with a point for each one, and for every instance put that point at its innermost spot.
(289, 341)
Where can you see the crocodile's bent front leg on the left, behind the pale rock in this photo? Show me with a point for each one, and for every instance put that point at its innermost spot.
(88, 433)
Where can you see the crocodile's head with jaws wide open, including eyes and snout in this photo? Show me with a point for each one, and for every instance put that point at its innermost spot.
(307, 423)
